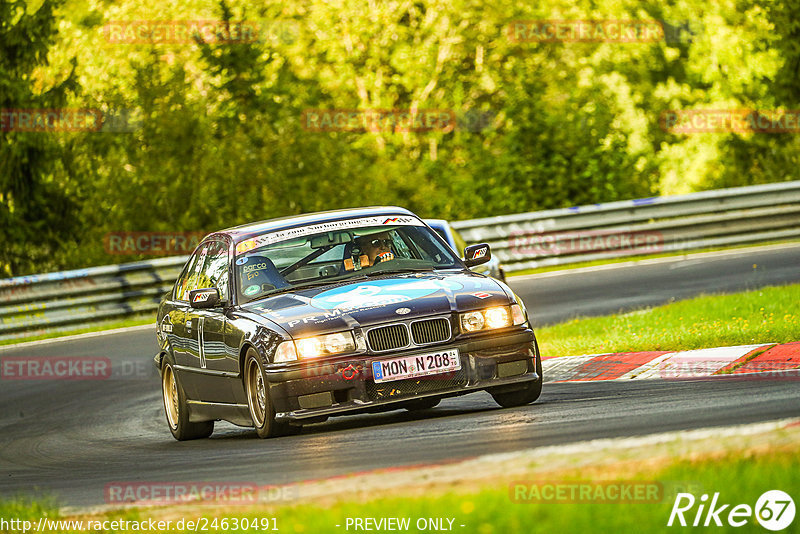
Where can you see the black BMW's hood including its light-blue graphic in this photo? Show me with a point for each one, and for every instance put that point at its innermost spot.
(378, 300)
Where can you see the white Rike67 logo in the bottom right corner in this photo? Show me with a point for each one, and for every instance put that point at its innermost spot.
(774, 510)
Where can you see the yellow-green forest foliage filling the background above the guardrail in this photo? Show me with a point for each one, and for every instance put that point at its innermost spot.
(217, 134)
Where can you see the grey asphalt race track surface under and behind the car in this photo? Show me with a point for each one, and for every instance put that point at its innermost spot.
(71, 438)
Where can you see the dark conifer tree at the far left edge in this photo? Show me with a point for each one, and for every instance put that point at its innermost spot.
(36, 214)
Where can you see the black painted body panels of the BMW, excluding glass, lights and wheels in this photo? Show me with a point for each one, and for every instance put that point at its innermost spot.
(209, 345)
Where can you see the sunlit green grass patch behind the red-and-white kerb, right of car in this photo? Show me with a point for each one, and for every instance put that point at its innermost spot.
(767, 315)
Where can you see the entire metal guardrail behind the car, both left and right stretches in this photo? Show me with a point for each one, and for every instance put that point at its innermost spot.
(51, 302)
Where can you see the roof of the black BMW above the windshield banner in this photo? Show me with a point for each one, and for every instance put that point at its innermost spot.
(245, 231)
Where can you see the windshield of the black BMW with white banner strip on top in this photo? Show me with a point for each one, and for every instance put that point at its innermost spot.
(347, 251)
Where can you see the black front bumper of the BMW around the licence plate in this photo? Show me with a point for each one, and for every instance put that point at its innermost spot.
(346, 385)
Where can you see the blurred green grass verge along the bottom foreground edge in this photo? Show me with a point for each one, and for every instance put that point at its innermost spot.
(739, 477)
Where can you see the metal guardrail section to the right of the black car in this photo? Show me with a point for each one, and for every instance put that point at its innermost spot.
(740, 215)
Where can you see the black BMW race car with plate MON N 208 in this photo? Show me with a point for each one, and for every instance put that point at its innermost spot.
(285, 322)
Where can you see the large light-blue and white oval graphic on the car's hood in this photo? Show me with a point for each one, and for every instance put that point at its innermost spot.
(380, 293)
